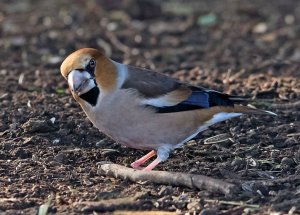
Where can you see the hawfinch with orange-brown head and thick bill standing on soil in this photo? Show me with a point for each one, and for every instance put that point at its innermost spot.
(144, 109)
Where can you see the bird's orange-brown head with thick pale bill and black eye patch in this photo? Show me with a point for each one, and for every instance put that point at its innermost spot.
(87, 69)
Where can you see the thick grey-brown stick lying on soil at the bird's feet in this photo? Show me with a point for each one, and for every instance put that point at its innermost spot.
(170, 178)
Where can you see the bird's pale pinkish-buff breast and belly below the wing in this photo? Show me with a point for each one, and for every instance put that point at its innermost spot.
(121, 117)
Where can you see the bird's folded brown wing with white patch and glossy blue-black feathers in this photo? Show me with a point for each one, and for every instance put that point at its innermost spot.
(166, 94)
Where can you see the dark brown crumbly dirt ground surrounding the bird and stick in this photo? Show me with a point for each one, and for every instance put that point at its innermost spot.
(50, 153)
